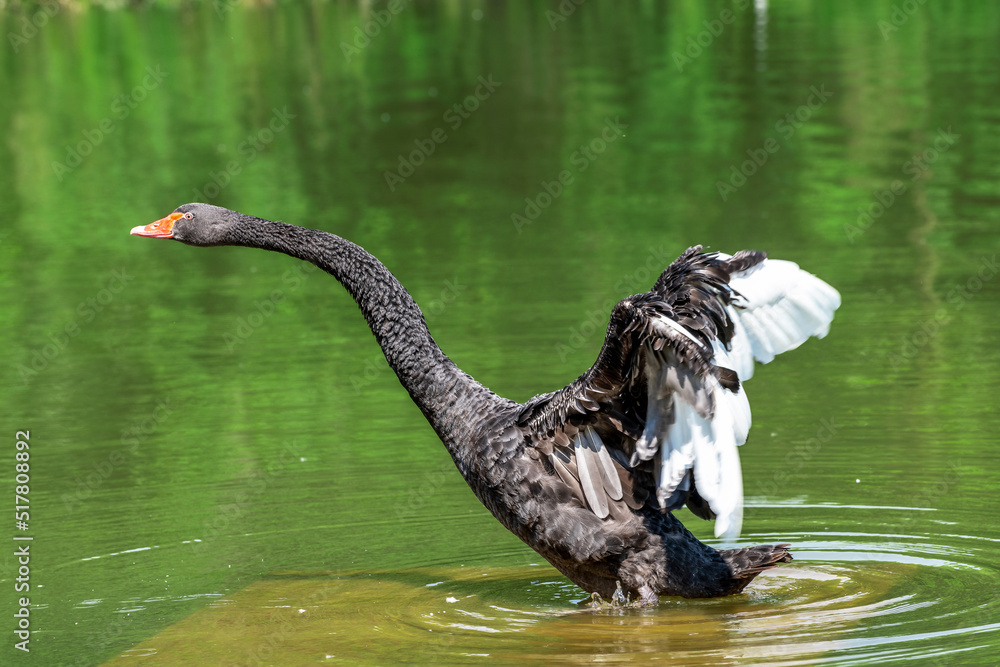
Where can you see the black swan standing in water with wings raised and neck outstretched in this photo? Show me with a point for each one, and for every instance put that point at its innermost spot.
(588, 475)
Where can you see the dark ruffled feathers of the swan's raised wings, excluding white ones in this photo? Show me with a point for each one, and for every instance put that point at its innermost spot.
(611, 397)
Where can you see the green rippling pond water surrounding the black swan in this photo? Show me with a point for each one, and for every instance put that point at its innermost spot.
(222, 469)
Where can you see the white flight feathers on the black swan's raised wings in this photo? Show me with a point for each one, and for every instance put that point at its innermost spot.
(697, 415)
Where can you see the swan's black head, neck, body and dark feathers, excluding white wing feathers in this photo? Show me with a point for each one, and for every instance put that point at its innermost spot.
(569, 472)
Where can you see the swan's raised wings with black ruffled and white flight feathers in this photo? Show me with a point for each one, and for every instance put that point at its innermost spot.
(658, 418)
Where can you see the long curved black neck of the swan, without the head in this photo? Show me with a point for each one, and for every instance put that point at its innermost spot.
(453, 402)
